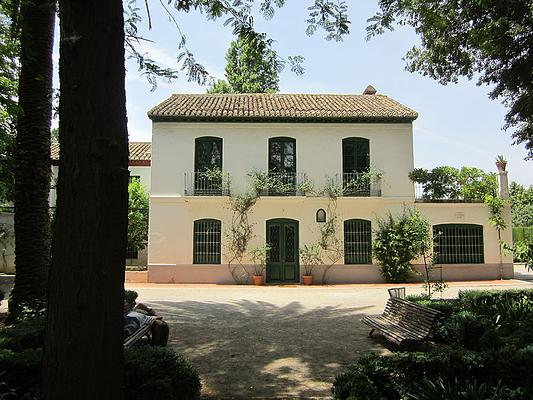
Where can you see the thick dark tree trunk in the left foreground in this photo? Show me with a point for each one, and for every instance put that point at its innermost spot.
(83, 356)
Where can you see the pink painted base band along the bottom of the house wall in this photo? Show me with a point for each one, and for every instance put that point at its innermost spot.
(338, 274)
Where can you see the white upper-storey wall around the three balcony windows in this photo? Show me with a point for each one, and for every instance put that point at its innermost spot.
(245, 147)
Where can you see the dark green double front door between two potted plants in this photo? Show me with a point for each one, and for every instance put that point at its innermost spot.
(282, 265)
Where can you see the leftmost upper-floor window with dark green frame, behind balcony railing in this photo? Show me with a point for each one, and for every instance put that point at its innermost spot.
(207, 157)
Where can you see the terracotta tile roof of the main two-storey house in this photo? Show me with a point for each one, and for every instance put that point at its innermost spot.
(266, 107)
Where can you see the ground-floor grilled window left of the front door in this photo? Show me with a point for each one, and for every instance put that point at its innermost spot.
(207, 242)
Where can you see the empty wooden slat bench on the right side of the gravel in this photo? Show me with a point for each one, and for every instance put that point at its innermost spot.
(403, 321)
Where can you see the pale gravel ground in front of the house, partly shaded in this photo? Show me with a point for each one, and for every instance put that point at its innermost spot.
(274, 341)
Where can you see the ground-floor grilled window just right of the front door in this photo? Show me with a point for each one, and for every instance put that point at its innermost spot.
(357, 242)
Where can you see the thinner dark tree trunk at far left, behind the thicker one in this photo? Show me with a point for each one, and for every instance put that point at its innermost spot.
(32, 156)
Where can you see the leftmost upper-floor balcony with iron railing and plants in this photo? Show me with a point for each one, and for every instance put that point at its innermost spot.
(208, 183)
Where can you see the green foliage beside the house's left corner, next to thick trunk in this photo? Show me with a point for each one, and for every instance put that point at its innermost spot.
(137, 216)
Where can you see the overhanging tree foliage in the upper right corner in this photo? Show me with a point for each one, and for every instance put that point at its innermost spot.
(487, 39)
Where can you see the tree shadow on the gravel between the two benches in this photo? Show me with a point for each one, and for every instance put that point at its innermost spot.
(255, 349)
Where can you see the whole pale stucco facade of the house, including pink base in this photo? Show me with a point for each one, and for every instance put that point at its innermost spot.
(318, 155)
